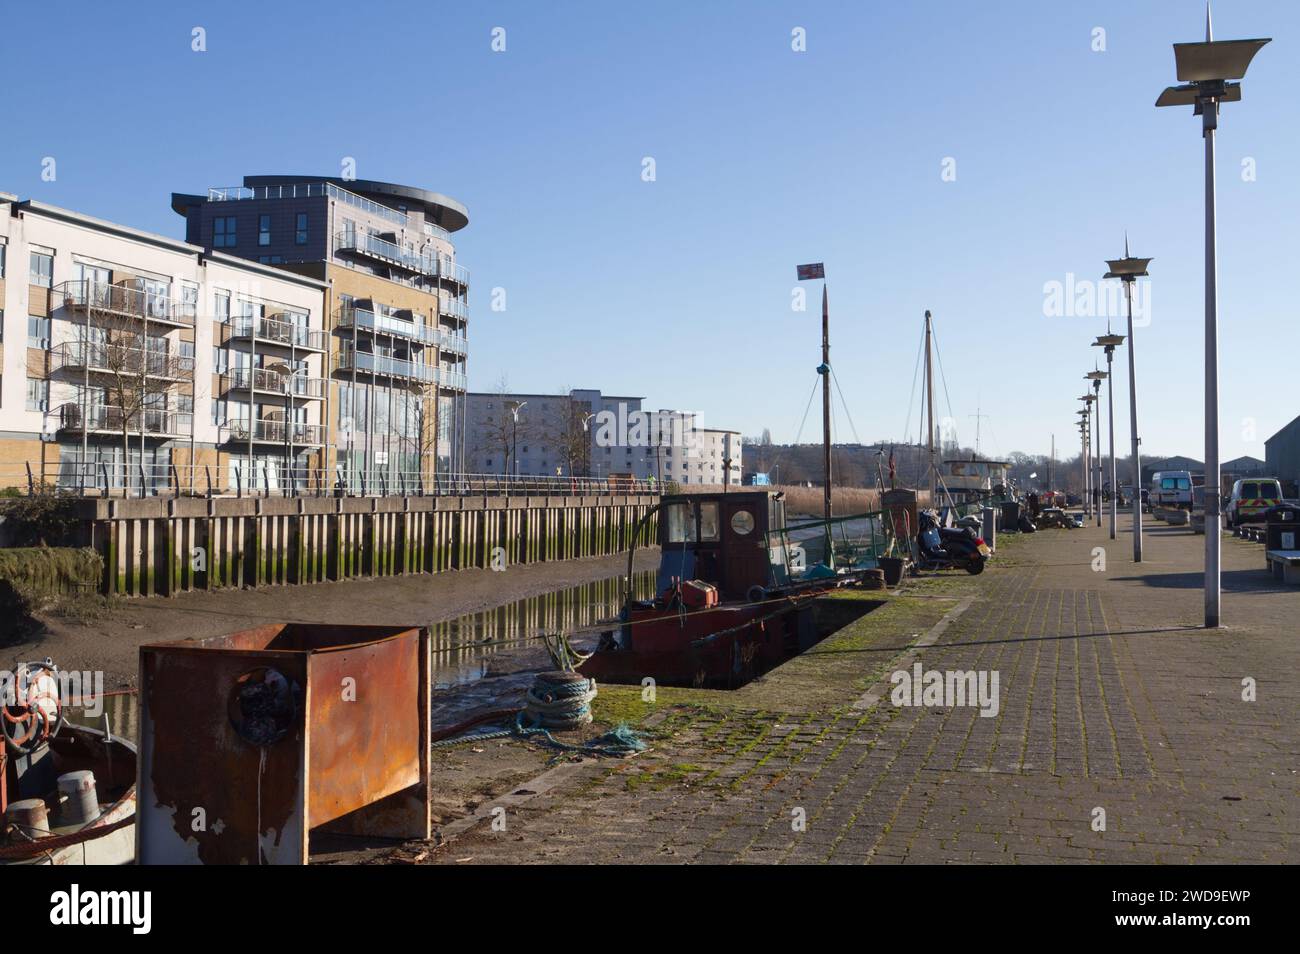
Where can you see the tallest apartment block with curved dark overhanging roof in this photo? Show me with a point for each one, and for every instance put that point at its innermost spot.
(396, 305)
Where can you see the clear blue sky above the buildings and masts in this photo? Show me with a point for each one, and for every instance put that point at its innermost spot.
(681, 289)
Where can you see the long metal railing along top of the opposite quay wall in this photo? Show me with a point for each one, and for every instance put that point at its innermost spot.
(271, 478)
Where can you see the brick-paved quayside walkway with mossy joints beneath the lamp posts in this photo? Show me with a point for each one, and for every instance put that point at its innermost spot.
(1111, 699)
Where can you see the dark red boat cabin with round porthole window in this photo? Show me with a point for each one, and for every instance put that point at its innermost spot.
(723, 540)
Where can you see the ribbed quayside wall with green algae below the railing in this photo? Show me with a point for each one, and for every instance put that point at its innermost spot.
(168, 547)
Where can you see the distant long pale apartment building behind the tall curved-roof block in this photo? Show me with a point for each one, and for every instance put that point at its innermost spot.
(587, 433)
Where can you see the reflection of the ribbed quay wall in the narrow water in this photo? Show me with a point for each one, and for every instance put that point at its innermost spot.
(463, 647)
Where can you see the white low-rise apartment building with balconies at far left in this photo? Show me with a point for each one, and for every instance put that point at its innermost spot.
(137, 361)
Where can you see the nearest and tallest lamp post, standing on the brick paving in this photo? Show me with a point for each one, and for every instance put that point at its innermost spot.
(1206, 71)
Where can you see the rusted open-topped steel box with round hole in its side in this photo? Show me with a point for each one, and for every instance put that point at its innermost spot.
(252, 740)
